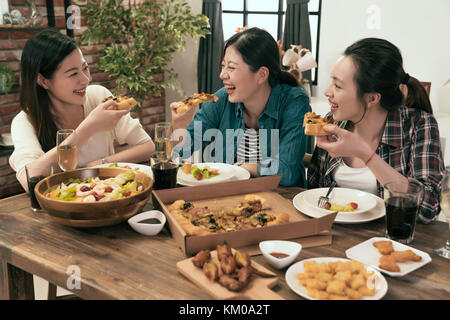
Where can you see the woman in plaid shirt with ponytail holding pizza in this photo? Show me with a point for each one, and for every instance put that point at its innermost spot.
(381, 136)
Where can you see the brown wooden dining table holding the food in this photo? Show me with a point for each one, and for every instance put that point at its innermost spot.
(117, 263)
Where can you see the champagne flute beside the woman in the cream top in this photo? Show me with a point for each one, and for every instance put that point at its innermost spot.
(66, 142)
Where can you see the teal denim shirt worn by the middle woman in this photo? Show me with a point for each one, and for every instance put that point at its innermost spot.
(281, 135)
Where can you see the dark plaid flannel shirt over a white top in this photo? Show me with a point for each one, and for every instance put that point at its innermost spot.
(410, 144)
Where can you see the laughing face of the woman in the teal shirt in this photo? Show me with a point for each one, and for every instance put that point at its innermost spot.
(241, 83)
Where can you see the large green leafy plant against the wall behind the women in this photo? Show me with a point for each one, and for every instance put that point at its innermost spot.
(141, 38)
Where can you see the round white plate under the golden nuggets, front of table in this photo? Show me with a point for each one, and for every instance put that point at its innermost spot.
(381, 285)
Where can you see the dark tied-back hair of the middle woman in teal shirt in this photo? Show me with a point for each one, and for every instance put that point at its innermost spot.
(259, 49)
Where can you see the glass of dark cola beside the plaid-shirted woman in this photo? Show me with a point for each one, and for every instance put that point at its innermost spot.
(402, 201)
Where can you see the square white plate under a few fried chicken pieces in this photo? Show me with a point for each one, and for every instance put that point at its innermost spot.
(368, 254)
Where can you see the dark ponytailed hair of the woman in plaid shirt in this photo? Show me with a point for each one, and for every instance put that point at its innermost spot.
(379, 67)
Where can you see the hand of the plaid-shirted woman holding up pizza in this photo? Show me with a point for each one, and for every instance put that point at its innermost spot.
(347, 144)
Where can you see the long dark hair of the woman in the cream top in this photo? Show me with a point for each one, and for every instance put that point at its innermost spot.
(43, 54)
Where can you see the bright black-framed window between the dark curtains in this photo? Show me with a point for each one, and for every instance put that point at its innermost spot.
(268, 14)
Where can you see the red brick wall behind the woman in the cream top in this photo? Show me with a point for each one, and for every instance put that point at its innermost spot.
(12, 42)
